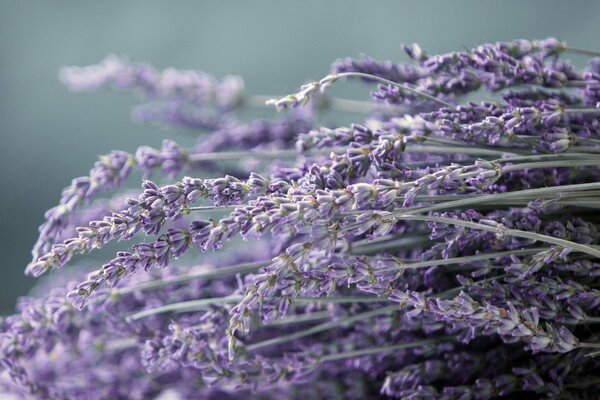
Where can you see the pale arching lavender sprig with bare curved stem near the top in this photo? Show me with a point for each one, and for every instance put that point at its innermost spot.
(308, 90)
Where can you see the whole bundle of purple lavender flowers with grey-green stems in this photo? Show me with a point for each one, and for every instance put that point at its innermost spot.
(438, 248)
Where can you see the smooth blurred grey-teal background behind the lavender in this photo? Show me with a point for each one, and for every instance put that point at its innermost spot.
(49, 136)
